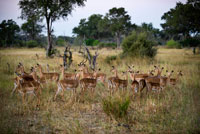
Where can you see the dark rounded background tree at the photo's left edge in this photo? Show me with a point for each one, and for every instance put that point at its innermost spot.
(8, 32)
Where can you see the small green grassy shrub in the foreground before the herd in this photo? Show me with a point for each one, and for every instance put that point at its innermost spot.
(116, 106)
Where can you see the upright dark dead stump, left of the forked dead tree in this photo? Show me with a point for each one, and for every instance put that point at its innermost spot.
(67, 58)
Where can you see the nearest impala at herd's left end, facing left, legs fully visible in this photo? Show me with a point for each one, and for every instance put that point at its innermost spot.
(25, 87)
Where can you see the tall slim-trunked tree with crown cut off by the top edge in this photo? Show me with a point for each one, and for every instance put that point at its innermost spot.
(50, 10)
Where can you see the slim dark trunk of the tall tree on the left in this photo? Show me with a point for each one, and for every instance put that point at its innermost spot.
(49, 47)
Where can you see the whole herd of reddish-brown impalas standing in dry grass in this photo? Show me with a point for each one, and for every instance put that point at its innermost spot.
(31, 82)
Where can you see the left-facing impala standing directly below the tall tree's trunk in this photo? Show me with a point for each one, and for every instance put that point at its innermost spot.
(47, 76)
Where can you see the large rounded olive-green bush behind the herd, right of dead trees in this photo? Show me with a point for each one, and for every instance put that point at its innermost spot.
(138, 44)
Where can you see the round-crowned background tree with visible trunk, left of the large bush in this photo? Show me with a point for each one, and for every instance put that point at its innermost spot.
(118, 22)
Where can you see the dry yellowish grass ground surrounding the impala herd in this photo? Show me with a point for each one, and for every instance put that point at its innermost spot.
(174, 110)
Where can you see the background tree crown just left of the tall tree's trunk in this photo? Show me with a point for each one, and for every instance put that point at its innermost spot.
(31, 28)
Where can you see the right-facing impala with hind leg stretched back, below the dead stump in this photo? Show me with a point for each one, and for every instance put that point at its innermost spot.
(67, 84)
